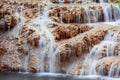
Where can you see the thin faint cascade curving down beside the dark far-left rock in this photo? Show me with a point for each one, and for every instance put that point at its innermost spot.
(14, 33)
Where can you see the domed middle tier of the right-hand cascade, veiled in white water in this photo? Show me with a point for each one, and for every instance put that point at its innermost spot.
(104, 49)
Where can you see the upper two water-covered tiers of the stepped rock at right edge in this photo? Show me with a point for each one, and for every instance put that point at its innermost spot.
(108, 47)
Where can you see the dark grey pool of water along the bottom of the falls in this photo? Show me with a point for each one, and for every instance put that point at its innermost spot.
(48, 76)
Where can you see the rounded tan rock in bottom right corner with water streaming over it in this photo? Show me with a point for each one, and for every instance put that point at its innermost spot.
(109, 66)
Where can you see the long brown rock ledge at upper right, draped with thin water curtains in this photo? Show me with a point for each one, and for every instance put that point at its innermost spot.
(70, 13)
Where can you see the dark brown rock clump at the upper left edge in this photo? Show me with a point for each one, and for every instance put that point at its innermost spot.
(7, 16)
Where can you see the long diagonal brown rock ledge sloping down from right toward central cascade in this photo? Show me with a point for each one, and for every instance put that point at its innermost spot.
(77, 46)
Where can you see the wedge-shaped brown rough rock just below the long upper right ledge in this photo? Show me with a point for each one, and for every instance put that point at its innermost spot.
(69, 31)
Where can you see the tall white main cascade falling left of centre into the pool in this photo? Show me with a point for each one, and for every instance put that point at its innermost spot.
(46, 43)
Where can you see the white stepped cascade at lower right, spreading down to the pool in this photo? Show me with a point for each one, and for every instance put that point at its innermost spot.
(106, 49)
